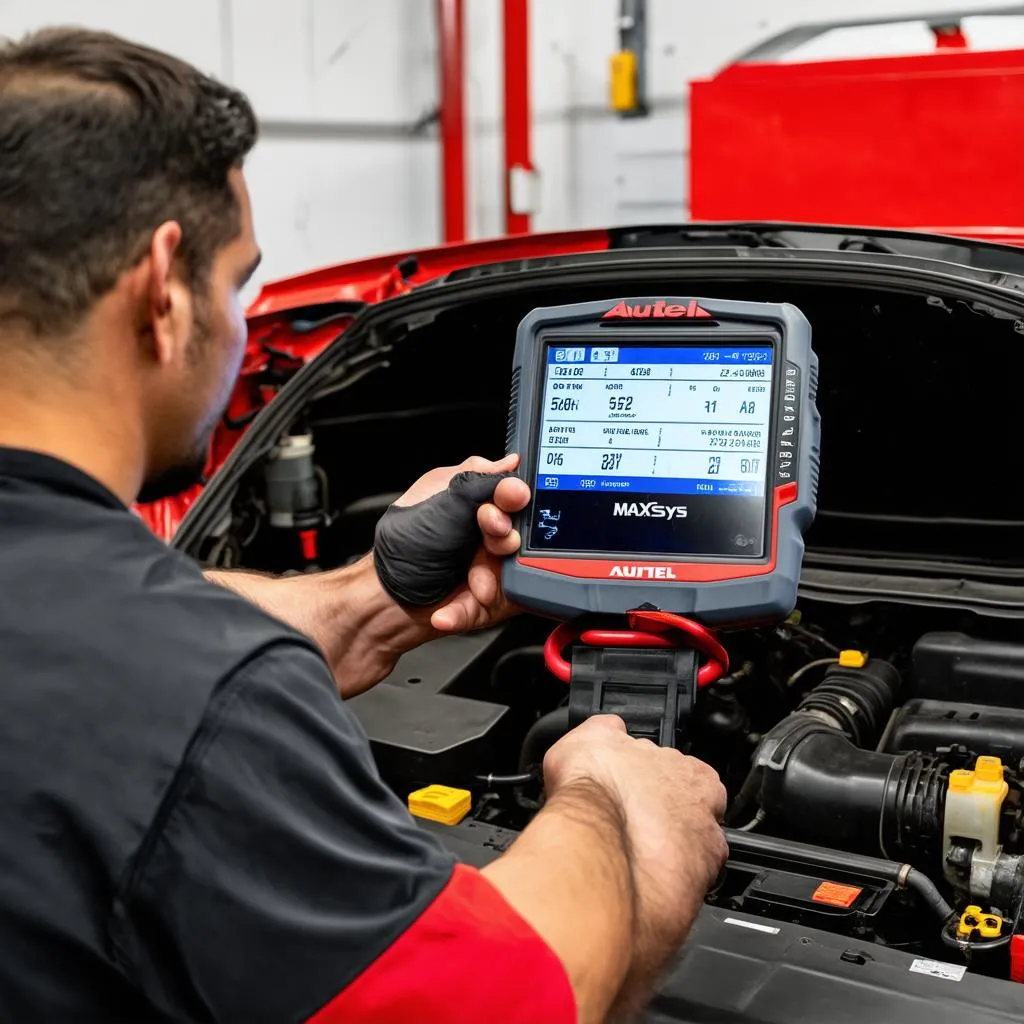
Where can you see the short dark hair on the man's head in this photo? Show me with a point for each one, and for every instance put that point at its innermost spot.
(102, 141)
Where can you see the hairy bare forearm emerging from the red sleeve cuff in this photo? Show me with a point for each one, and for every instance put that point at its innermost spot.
(570, 876)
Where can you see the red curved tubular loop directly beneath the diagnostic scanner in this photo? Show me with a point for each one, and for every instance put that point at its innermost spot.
(648, 629)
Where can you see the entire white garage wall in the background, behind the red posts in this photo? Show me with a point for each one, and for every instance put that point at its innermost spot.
(338, 86)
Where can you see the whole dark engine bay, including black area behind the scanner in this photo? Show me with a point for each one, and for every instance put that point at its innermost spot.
(872, 745)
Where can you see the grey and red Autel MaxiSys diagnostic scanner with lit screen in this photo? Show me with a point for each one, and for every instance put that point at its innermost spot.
(672, 446)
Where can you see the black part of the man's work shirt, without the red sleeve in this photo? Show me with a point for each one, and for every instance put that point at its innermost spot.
(192, 827)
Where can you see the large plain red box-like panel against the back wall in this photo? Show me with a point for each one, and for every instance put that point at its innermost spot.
(926, 143)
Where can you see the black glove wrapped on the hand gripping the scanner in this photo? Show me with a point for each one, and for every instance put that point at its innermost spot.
(423, 552)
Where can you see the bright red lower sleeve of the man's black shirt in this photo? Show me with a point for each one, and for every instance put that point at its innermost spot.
(468, 958)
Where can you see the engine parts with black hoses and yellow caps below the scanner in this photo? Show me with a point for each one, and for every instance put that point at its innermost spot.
(869, 796)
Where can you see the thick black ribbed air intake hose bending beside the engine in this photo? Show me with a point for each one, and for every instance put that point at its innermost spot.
(812, 772)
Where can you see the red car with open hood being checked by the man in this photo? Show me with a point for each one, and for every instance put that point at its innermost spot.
(857, 892)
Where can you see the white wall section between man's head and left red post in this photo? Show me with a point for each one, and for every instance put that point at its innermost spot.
(337, 86)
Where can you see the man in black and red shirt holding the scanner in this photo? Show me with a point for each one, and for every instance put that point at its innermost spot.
(192, 826)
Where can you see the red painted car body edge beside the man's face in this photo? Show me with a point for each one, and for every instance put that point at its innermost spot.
(275, 351)
